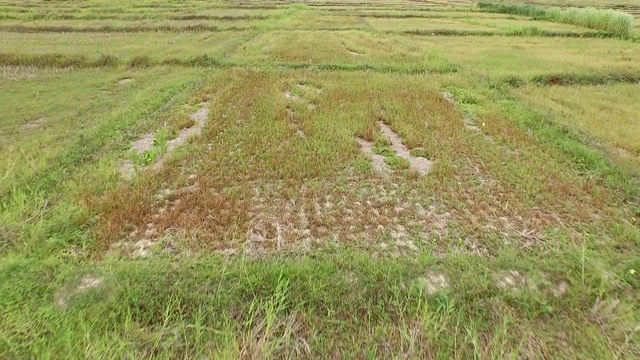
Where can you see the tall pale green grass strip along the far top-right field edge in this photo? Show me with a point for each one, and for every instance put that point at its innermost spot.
(616, 22)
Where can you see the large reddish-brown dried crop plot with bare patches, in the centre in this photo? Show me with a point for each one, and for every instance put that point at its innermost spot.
(260, 188)
